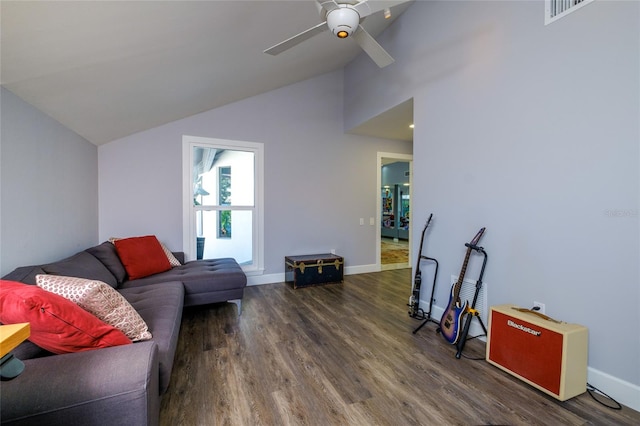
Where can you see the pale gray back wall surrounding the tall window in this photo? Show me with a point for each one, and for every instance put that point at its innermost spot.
(318, 181)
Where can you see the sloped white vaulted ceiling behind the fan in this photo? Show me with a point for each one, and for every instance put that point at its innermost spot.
(108, 69)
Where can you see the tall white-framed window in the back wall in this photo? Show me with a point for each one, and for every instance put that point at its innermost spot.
(222, 185)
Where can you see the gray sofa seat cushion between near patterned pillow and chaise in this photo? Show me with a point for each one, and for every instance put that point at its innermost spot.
(160, 306)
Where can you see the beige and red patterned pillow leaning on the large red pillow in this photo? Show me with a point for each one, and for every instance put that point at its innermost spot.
(100, 300)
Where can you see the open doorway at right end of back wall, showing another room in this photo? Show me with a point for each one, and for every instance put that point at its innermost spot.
(394, 211)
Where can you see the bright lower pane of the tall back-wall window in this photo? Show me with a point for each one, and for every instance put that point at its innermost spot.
(237, 243)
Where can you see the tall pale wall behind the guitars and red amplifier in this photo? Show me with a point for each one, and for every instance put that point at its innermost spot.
(531, 131)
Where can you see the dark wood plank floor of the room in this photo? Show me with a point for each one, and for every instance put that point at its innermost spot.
(344, 354)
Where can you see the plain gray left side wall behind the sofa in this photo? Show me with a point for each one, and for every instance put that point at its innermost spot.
(48, 187)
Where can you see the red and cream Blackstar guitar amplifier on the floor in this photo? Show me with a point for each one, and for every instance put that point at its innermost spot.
(548, 355)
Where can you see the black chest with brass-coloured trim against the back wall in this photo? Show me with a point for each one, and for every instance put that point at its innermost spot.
(313, 269)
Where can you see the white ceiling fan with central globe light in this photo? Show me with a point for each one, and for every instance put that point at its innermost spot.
(343, 18)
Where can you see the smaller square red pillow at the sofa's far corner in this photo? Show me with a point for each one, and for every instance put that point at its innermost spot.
(142, 256)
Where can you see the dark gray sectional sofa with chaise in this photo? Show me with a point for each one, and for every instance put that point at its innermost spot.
(119, 385)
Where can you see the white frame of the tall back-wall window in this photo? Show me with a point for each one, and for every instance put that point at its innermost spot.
(188, 209)
